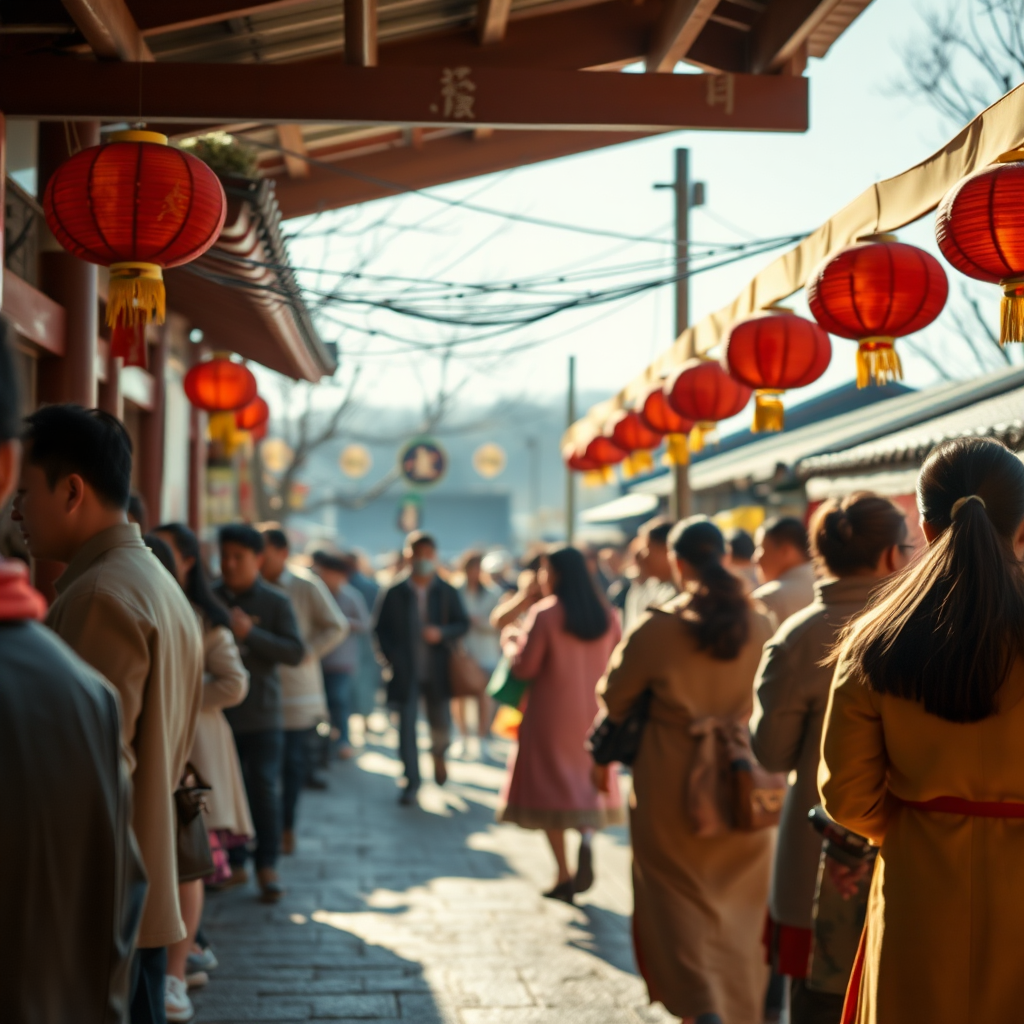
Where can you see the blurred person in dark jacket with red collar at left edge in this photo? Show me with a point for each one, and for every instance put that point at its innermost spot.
(72, 886)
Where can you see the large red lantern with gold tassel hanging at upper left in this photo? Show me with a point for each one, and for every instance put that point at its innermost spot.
(138, 206)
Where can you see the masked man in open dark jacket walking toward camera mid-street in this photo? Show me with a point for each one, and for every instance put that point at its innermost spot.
(420, 616)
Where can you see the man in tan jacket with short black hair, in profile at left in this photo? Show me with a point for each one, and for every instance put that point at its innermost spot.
(122, 613)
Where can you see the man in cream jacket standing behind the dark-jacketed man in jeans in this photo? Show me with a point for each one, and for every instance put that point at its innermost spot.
(304, 702)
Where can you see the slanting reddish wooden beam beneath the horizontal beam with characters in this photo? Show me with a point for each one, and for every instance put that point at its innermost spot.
(454, 158)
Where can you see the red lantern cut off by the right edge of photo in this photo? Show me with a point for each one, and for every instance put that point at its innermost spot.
(980, 231)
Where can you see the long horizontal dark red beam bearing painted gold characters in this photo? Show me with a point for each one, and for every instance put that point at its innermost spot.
(55, 89)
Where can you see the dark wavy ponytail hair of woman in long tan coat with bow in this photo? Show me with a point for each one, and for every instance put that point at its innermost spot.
(719, 611)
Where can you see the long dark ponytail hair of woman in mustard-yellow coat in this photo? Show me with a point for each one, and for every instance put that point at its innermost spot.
(948, 629)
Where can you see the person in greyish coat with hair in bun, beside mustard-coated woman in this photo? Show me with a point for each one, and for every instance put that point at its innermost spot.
(857, 543)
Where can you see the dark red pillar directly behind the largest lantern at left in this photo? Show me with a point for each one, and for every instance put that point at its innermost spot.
(70, 282)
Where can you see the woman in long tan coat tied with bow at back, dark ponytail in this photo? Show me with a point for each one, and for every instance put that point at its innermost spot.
(700, 900)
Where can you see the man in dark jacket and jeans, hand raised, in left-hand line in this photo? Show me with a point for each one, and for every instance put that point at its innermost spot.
(265, 626)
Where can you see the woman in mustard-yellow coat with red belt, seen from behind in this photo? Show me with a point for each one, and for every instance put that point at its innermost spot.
(923, 754)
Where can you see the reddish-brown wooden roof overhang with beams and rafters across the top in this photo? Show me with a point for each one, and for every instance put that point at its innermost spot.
(355, 100)
